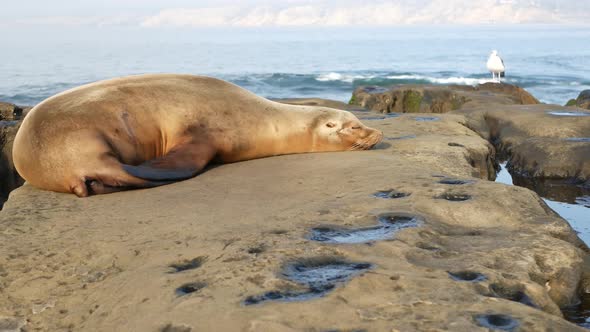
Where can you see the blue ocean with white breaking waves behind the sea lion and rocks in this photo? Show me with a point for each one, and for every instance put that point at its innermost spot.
(549, 61)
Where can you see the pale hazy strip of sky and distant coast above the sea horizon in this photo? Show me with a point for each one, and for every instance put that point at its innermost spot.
(158, 14)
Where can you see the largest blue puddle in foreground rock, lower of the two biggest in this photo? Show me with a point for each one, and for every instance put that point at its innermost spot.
(318, 275)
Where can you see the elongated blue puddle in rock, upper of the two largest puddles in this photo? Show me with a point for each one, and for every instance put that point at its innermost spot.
(391, 223)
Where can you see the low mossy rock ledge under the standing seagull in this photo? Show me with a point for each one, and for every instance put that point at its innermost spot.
(436, 98)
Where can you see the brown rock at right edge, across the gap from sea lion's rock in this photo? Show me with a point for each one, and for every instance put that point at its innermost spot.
(541, 141)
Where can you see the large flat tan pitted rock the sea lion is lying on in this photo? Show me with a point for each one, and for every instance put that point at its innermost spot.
(52, 242)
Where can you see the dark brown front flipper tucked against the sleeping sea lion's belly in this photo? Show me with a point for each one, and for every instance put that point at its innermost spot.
(182, 162)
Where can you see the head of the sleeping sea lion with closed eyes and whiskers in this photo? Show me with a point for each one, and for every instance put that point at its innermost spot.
(337, 130)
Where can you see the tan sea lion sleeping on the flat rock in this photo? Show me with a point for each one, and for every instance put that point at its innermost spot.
(149, 130)
